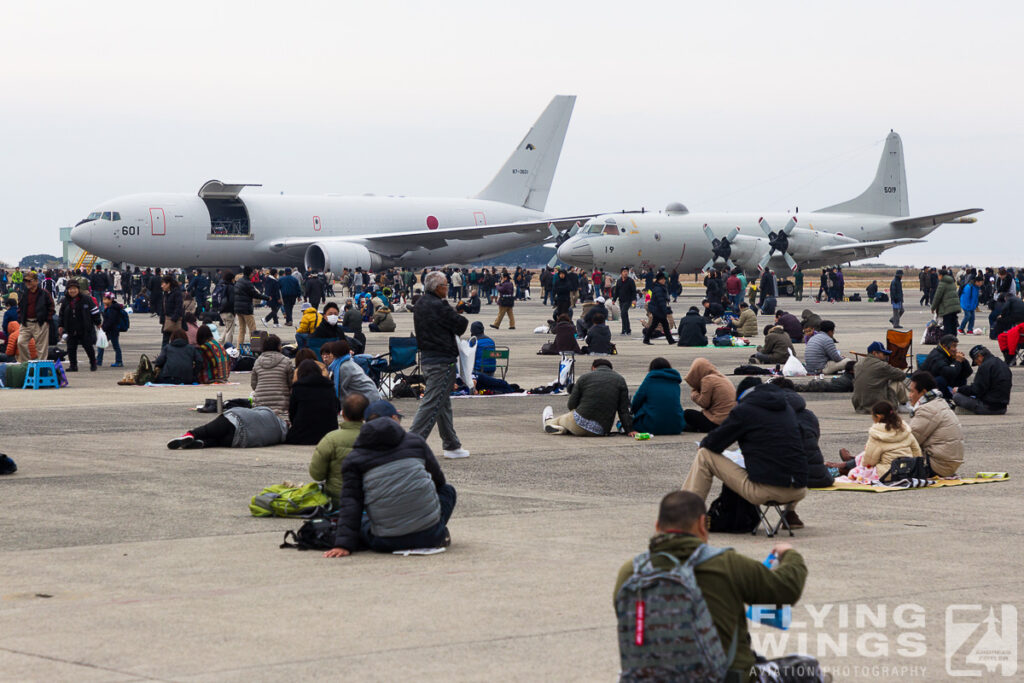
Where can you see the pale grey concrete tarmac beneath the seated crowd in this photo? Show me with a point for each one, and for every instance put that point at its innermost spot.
(121, 561)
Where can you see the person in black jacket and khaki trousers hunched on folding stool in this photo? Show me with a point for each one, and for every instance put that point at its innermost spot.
(765, 426)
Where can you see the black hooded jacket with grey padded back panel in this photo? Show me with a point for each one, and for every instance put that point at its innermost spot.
(394, 476)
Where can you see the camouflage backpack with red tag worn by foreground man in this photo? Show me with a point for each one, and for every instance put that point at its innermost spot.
(665, 628)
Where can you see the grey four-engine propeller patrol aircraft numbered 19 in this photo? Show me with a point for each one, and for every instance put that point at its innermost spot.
(863, 228)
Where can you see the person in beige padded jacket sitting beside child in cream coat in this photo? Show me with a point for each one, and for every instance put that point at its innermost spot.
(935, 426)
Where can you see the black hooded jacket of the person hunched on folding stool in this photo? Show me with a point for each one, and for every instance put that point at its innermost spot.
(765, 426)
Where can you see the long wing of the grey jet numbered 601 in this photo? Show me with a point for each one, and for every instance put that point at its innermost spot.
(389, 242)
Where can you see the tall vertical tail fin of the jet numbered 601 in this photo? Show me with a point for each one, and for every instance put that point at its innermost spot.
(526, 179)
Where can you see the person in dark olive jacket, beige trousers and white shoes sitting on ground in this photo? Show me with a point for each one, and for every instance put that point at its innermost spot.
(595, 399)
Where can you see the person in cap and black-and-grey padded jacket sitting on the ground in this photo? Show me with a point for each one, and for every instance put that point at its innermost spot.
(394, 494)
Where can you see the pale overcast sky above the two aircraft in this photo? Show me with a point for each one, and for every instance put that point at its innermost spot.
(726, 107)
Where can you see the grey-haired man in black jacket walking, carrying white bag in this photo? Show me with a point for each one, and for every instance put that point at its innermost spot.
(437, 326)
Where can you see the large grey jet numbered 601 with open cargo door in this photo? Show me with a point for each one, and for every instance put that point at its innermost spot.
(222, 227)
